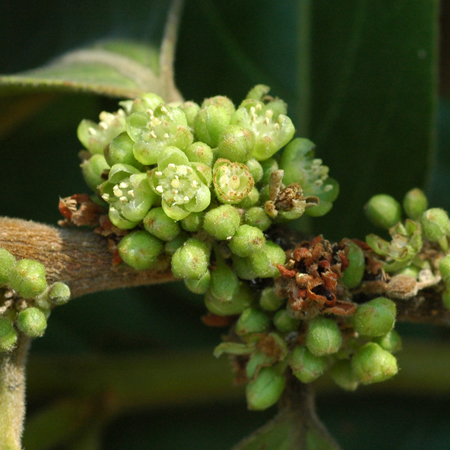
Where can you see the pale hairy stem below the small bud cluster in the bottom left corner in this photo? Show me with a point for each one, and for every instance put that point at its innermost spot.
(12, 394)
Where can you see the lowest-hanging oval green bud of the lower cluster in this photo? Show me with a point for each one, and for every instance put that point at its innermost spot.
(265, 390)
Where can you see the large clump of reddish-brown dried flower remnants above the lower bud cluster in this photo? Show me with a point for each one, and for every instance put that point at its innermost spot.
(310, 279)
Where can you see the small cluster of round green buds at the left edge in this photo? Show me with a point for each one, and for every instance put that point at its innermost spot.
(25, 299)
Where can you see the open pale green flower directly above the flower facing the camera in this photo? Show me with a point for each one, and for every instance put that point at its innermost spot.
(154, 130)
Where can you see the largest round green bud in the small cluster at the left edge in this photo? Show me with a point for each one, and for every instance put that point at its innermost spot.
(28, 278)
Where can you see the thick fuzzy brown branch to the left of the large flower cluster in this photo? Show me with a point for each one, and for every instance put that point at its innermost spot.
(79, 258)
